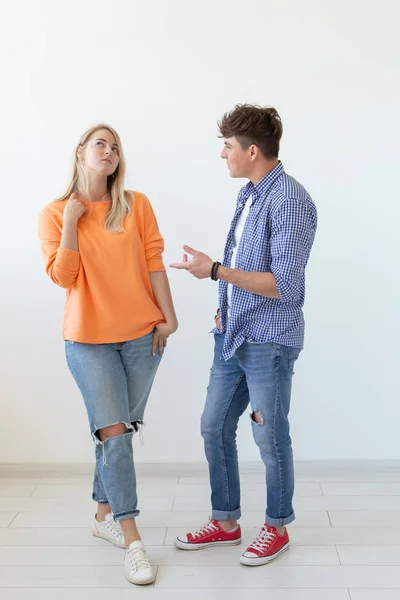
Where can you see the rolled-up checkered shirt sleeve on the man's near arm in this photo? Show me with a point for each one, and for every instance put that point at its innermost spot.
(292, 235)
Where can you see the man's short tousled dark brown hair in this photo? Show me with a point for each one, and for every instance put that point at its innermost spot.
(261, 126)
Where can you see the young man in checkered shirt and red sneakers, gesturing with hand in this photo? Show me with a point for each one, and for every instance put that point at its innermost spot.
(259, 331)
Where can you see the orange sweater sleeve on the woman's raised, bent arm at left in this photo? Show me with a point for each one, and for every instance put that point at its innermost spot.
(62, 265)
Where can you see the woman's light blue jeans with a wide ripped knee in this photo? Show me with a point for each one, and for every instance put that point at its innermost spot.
(115, 381)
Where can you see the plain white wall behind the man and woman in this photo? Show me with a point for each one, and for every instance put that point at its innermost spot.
(162, 72)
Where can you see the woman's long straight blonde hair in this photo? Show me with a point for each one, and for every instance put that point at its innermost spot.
(121, 200)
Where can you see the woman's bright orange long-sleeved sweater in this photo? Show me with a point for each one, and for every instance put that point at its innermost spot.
(109, 294)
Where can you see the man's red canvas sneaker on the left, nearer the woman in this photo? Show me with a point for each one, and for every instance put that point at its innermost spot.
(211, 534)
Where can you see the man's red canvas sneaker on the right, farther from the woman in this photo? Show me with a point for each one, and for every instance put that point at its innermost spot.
(267, 546)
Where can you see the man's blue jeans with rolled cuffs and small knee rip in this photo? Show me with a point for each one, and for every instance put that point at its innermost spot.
(259, 374)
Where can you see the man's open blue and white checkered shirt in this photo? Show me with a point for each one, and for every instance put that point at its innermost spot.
(277, 238)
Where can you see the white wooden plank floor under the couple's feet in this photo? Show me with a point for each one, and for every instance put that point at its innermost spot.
(345, 541)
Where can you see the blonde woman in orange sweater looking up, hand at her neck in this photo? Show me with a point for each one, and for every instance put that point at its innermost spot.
(103, 245)
